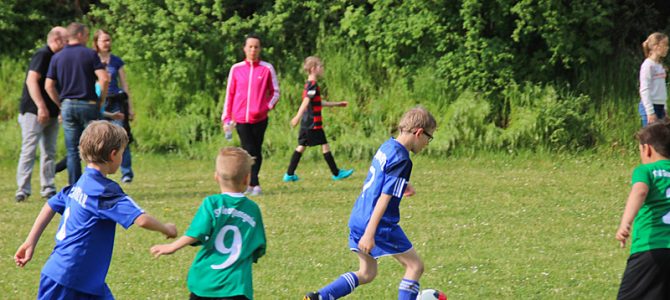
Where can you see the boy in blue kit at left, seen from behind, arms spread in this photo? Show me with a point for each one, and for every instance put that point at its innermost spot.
(91, 208)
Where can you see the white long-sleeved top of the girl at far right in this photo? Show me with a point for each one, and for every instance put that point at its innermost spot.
(652, 85)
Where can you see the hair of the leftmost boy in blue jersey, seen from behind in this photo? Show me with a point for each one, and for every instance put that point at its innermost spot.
(99, 139)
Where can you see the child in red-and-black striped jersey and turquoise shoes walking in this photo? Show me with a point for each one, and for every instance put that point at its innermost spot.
(311, 123)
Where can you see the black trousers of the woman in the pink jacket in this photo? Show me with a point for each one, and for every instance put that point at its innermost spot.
(251, 137)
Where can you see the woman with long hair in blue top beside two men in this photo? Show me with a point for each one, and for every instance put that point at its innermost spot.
(118, 98)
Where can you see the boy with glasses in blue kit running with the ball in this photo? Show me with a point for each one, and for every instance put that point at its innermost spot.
(373, 225)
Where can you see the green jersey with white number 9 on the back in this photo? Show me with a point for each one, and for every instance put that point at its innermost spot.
(230, 229)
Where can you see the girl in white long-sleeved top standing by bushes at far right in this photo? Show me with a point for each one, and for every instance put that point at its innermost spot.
(653, 93)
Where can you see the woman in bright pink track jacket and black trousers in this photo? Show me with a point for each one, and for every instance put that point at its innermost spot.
(252, 91)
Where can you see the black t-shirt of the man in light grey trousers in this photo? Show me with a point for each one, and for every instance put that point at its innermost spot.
(39, 63)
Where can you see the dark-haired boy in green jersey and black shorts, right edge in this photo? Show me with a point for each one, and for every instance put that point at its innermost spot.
(647, 274)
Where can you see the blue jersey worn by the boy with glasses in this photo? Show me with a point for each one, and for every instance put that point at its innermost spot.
(389, 174)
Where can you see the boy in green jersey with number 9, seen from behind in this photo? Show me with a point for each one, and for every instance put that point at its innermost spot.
(229, 227)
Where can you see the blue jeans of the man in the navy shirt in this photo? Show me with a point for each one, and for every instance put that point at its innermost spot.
(76, 116)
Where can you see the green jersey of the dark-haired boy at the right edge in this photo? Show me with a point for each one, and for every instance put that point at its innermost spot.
(651, 227)
